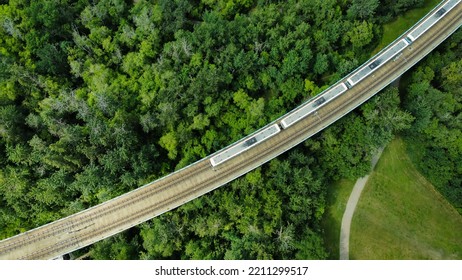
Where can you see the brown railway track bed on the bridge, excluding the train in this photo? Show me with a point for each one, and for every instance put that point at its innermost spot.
(84, 228)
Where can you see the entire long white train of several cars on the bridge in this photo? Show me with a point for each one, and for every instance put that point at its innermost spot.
(330, 94)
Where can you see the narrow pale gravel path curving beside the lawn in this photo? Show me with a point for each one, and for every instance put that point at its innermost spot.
(350, 209)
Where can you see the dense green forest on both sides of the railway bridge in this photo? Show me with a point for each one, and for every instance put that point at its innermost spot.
(100, 97)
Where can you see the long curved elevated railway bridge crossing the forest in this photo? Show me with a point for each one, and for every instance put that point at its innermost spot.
(142, 204)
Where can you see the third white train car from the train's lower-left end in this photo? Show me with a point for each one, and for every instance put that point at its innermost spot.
(376, 63)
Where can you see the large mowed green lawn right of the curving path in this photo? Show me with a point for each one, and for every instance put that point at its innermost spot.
(400, 215)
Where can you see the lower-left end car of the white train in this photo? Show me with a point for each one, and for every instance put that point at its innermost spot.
(241, 146)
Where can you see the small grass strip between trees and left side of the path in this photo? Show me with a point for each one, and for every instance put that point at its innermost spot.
(337, 198)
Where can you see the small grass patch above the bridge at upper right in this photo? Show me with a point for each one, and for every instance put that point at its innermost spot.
(395, 28)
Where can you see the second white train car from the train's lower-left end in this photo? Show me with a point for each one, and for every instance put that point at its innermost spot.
(308, 108)
